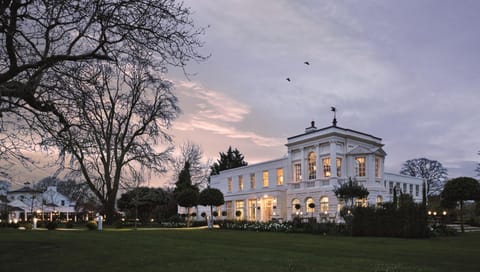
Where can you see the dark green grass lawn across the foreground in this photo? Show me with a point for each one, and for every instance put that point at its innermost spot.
(203, 250)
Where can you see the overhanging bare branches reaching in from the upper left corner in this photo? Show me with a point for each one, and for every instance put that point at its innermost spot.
(42, 39)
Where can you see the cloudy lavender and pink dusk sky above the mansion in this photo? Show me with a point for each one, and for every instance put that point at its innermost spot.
(404, 71)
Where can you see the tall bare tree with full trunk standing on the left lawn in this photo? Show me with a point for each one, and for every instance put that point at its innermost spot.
(116, 129)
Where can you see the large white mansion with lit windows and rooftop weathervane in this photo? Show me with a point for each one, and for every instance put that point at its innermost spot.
(317, 161)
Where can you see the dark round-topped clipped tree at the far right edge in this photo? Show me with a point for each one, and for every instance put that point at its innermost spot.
(458, 190)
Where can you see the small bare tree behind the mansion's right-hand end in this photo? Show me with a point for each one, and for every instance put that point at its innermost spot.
(432, 171)
